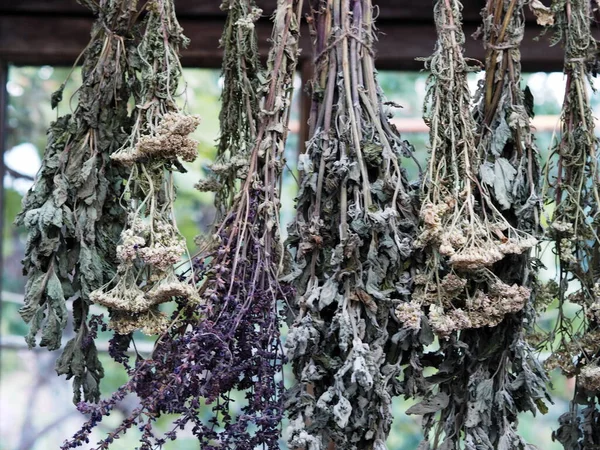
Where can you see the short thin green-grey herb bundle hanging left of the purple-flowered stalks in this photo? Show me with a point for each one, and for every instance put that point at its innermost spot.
(239, 119)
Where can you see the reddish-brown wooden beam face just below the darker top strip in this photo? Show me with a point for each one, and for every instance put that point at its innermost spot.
(28, 40)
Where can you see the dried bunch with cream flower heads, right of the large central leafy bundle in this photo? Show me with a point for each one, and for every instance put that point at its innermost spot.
(464, 232)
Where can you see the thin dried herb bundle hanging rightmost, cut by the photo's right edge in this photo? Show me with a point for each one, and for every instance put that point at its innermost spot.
(574, 228)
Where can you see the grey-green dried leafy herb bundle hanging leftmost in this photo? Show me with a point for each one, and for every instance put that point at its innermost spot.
(71, 212)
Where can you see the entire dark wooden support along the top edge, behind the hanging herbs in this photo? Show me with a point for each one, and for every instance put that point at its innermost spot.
(38, 32)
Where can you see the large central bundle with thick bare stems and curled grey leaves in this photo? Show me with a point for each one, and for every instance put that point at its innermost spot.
(352, 240)
